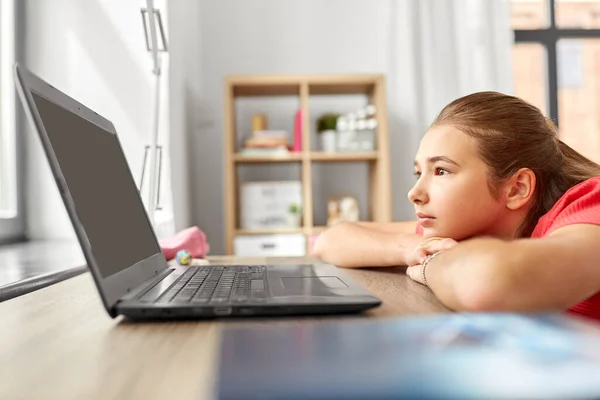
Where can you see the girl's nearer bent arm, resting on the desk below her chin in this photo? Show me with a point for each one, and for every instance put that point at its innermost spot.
(550, 273)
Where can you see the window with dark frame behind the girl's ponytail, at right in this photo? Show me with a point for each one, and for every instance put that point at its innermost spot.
(556, 59)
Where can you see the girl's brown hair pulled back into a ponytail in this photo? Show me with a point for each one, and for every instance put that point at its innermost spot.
(512, 134)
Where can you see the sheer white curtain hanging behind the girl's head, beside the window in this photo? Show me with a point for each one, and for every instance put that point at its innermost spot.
(440, 50)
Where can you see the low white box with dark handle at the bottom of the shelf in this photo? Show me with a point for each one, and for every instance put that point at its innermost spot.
(279, 245)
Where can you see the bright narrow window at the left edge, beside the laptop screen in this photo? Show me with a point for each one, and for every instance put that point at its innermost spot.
(11, 218)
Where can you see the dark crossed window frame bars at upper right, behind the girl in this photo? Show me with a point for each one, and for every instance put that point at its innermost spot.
(549, 37)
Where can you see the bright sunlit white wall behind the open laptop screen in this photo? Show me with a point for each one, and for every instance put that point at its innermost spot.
(93, 50)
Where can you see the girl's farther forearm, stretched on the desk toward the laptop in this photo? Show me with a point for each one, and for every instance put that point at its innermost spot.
(368, 244)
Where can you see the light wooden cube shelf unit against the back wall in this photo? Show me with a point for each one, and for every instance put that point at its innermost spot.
(303, 86)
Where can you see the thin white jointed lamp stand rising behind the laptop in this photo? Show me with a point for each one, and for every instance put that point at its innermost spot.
(152, 23)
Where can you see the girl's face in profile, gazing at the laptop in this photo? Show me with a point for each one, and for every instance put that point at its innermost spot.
(452, 197)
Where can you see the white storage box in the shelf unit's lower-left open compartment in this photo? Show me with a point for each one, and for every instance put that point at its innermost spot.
(267, 205)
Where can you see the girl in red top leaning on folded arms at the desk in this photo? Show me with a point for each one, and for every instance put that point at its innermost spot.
(508, 216)
